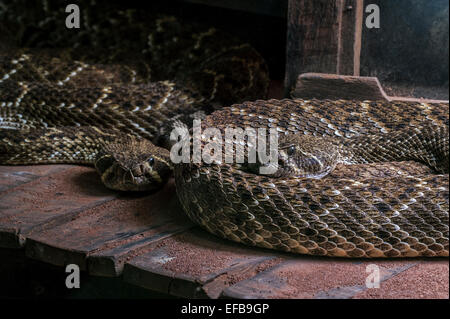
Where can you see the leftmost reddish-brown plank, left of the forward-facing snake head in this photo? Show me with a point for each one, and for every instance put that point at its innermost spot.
(44, 201)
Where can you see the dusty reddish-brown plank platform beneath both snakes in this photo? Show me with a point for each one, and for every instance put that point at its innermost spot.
(62, 214)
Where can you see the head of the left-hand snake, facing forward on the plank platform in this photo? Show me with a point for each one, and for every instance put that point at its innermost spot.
(133, 165)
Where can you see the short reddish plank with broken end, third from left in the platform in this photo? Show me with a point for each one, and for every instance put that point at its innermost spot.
(196, 264)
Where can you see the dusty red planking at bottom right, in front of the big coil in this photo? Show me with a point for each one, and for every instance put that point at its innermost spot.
(308, 277)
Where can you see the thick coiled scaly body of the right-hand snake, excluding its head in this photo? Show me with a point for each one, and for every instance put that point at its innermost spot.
(368, 210)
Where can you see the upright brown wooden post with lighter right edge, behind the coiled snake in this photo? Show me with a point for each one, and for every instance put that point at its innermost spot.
(324, 36)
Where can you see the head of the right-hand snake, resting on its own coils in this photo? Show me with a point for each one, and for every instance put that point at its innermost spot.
(306, 156)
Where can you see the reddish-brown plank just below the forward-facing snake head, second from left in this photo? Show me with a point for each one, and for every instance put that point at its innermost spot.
(108, 234)
